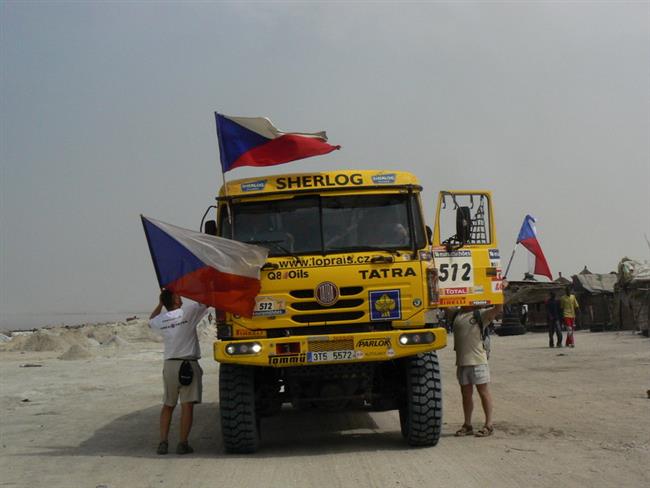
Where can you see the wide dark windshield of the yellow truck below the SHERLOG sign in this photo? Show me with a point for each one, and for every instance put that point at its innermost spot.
(328, 224)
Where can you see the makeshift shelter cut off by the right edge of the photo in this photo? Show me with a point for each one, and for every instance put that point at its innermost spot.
(633, 295)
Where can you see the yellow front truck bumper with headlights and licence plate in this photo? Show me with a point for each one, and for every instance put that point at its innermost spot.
(332, 348)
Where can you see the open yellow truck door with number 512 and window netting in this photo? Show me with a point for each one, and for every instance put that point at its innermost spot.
(465, 250)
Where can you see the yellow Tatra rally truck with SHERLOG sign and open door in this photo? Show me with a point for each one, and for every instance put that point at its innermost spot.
(347, 316)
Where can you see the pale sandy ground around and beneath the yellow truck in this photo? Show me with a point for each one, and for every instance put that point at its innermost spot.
(568, 418)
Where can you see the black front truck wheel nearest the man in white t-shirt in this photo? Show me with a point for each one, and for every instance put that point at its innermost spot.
(239, 421)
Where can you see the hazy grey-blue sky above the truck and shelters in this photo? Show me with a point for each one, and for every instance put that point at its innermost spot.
(107, 112)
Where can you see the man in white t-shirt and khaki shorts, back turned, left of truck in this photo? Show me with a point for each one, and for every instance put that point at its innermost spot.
(178, 328)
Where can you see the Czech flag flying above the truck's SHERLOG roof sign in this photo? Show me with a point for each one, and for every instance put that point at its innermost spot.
(255, 141)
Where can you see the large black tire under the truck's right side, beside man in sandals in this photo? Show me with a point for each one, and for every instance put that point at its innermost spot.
(421, 412)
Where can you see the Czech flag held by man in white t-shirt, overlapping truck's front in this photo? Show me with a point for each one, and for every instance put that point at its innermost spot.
(212, 270)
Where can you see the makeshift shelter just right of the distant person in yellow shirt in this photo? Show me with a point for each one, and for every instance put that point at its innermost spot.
(595, 294)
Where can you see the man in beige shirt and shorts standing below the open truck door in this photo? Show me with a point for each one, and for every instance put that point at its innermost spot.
(472, 365)
